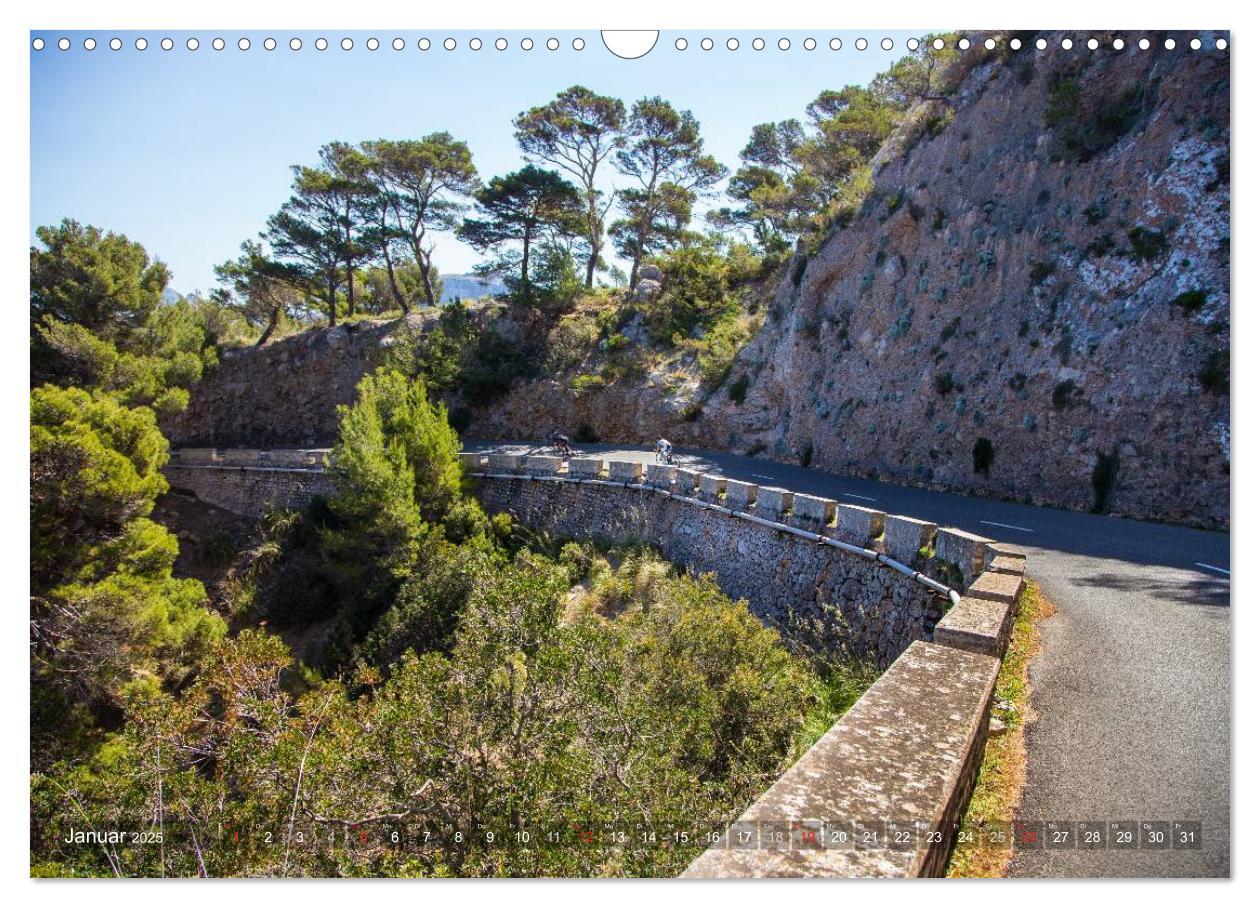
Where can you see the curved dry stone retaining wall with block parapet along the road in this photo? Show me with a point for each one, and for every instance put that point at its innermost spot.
(907, 754)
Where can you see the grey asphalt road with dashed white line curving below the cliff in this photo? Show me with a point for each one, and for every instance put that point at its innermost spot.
(1132, 690)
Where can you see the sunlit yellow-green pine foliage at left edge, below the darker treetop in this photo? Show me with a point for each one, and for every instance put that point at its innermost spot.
(106, 611)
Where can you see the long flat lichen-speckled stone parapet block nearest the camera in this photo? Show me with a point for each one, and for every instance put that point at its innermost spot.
(909, 750)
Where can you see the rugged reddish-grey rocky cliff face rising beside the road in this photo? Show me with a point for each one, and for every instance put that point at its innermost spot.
(1034, 304)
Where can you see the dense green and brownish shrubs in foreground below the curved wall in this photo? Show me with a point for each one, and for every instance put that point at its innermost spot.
(677, 710)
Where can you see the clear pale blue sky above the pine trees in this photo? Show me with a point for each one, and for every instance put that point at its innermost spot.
(188, 152)
